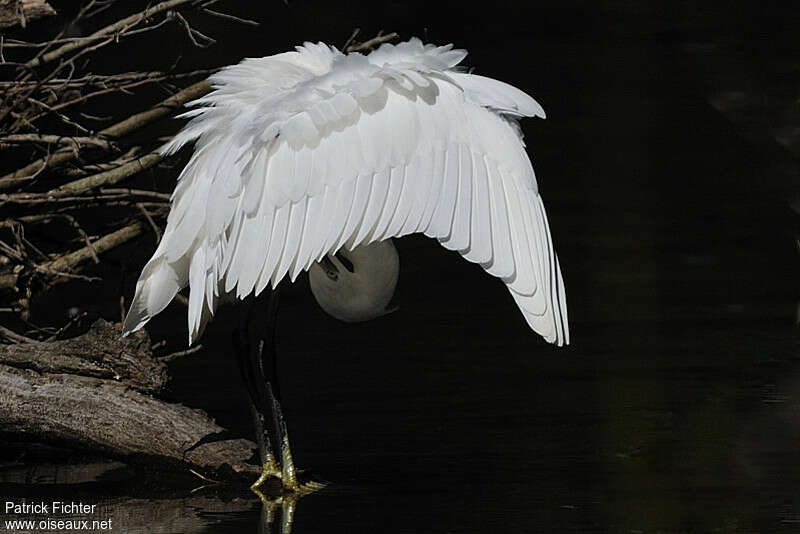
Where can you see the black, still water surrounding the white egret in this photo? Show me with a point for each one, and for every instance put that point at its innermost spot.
(677, 406)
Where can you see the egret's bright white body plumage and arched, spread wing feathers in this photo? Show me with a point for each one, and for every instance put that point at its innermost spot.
(302, 153)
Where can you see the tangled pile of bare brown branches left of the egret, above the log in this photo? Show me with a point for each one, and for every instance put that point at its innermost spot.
(64, 199)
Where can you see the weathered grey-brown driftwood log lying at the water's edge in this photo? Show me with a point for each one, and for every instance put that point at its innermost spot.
(97, 392)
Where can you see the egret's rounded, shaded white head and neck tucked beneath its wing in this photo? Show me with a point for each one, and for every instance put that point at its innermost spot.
(356, 285)
